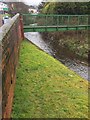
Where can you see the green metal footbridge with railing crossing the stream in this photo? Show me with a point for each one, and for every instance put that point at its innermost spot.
(52, 22)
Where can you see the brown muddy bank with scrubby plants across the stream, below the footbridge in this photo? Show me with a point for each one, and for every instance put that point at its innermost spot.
(73, 44)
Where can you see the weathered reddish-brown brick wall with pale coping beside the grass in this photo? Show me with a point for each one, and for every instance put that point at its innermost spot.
(12, 36)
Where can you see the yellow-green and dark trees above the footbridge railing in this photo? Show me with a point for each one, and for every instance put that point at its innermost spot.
(66, 8)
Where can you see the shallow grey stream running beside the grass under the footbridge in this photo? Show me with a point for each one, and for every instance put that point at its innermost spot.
(75, 65)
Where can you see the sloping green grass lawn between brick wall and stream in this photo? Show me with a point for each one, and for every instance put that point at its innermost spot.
(45, 88)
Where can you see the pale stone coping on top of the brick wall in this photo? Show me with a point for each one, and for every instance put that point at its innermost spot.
(6, 27)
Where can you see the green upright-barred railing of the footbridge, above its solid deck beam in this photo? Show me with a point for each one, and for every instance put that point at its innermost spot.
(54, 20)
